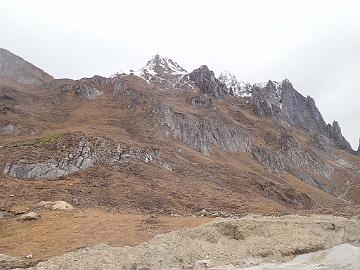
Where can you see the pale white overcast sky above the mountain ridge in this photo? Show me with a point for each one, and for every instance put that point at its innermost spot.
(315, 44)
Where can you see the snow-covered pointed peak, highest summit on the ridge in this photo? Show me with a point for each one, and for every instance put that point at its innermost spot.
(160, 65)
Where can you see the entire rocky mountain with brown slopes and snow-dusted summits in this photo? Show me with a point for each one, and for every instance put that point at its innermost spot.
(190, 138)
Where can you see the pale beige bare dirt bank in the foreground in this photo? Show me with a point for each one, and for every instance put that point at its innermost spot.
(236, 242)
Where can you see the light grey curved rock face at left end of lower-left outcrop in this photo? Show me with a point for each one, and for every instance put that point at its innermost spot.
(83, 158)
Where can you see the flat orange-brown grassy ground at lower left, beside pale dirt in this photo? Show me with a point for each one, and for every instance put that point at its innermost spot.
(58, 232)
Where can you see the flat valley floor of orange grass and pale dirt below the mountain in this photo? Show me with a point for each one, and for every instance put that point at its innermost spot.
(98, 239)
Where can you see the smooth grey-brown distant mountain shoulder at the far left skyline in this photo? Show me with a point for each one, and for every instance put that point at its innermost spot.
(17, 69)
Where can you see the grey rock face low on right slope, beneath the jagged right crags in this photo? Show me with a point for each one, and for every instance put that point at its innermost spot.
(292, 157)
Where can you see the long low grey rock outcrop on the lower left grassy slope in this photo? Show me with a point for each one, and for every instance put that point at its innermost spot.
(87, 154)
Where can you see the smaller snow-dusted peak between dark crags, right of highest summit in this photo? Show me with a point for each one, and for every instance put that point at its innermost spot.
(235, 87)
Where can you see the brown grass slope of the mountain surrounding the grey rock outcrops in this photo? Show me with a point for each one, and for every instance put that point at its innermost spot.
(52, 114)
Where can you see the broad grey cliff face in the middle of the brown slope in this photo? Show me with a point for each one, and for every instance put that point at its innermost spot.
(203, 132)
